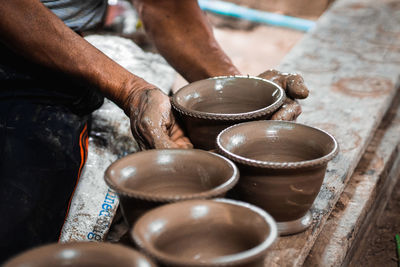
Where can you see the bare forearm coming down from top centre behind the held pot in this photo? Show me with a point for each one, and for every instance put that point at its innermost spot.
(182, 34)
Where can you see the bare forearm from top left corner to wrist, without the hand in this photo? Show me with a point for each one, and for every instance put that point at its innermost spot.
(31, 30)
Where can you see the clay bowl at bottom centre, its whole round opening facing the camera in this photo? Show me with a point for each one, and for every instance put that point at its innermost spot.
(149, 238)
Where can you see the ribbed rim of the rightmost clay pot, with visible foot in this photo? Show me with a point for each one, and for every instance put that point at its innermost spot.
(278, 165)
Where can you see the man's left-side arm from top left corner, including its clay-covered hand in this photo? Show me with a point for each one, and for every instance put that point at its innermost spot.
(33, 31)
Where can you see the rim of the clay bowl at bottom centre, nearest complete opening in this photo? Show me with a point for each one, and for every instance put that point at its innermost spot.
(229, 260)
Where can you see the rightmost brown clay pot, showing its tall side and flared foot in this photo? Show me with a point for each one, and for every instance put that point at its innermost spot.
(282, 166)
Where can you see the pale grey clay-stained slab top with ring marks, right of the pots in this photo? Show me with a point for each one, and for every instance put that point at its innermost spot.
(350, 62)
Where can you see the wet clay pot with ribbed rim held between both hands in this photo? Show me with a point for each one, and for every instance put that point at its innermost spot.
(206, 107)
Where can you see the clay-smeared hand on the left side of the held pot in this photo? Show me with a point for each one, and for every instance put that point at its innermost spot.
(152, 122)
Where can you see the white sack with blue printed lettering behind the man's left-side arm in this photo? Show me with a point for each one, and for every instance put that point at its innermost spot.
(94, 204)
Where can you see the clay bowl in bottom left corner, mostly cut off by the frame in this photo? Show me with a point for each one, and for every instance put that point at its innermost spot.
(55, 251)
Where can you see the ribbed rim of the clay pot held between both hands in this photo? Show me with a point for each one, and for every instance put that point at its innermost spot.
(224, 116)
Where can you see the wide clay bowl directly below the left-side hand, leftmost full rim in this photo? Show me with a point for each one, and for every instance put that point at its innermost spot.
(147, 179)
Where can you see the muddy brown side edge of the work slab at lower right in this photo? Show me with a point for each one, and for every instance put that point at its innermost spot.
(367, 190)
